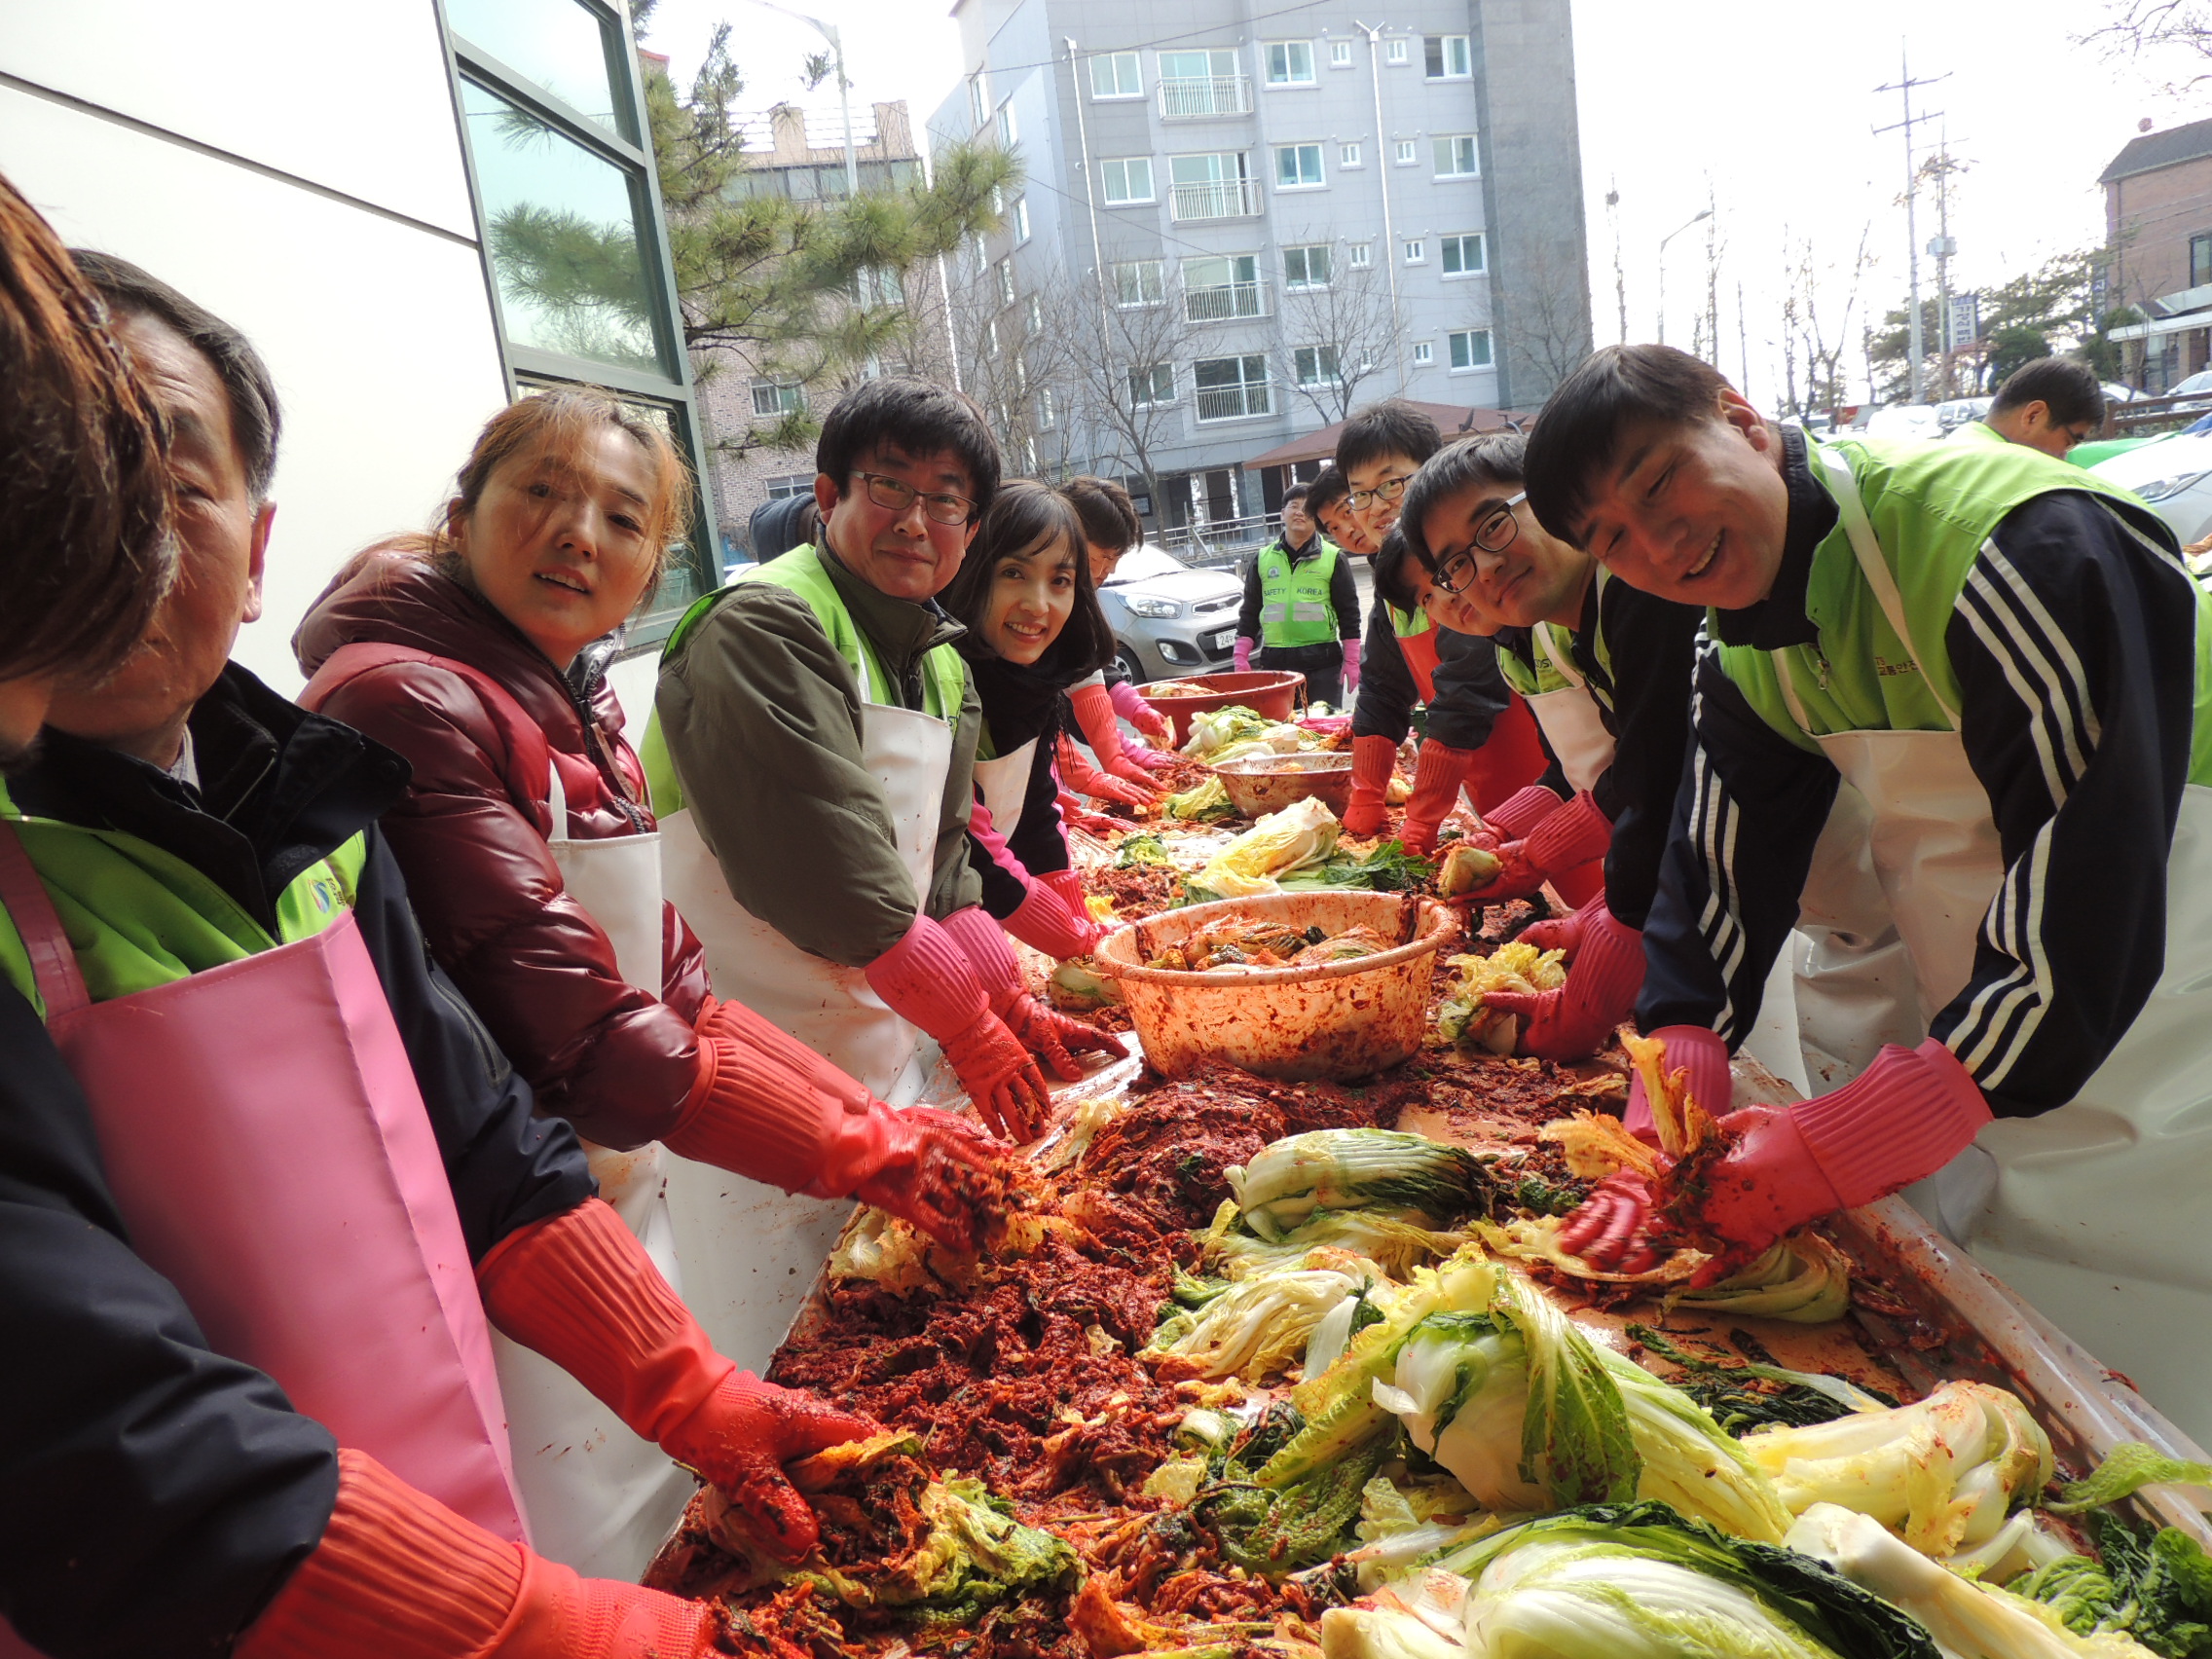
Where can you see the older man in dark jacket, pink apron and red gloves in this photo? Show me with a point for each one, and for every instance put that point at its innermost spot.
(262, 1160)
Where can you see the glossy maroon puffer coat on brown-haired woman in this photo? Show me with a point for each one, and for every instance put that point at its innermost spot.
(472, 842)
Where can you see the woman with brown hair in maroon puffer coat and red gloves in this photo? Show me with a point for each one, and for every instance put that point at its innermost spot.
(534, 866)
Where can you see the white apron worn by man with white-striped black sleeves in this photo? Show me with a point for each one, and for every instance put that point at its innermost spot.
(2096, 1211)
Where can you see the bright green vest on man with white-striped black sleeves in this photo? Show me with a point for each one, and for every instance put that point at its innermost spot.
(1932, 510)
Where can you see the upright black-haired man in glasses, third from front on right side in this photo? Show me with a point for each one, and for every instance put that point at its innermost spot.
(1481, 735)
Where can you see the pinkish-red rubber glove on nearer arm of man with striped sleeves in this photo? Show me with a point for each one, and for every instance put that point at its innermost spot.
(1901, 1120)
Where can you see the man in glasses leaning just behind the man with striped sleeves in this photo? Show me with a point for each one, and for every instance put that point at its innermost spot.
(1607, 674)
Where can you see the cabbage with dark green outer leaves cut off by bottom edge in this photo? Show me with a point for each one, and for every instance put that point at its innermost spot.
(1618, 1580)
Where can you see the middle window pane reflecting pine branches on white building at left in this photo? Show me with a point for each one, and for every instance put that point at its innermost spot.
(565, 238)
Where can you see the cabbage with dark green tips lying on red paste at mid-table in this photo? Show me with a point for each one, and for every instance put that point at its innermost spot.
(1348, 1169)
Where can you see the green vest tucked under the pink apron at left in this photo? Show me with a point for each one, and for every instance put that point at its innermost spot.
(140, 917)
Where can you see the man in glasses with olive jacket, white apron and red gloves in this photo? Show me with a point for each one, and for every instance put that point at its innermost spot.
(813, 771)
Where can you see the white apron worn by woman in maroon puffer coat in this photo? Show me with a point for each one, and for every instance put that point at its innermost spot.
(598, 1496)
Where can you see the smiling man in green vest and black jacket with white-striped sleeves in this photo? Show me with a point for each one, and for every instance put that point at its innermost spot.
(2007, 662)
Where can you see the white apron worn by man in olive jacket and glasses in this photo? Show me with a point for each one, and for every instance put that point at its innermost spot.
(751, 1253)
